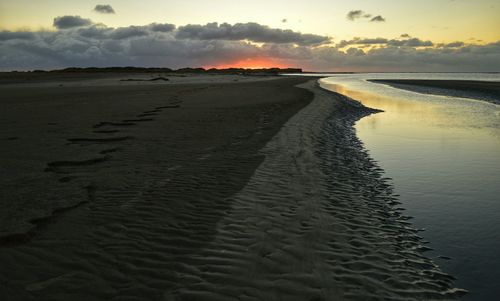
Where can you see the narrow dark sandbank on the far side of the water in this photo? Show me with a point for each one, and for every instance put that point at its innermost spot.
(489, 91)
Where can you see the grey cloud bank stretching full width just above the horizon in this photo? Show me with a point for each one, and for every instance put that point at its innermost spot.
(162, 45)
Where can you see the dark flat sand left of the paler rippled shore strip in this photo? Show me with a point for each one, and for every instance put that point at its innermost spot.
(143, 168)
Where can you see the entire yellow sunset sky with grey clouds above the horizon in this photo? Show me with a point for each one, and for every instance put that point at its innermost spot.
(316, 35)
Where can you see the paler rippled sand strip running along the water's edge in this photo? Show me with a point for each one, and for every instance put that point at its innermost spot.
(317, 221)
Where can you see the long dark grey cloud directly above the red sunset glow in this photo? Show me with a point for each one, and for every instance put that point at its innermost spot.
(247, 31)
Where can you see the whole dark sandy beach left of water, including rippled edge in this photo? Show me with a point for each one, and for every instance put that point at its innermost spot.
(199, 188)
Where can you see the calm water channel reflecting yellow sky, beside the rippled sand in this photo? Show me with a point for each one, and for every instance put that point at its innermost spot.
(443, 154)
